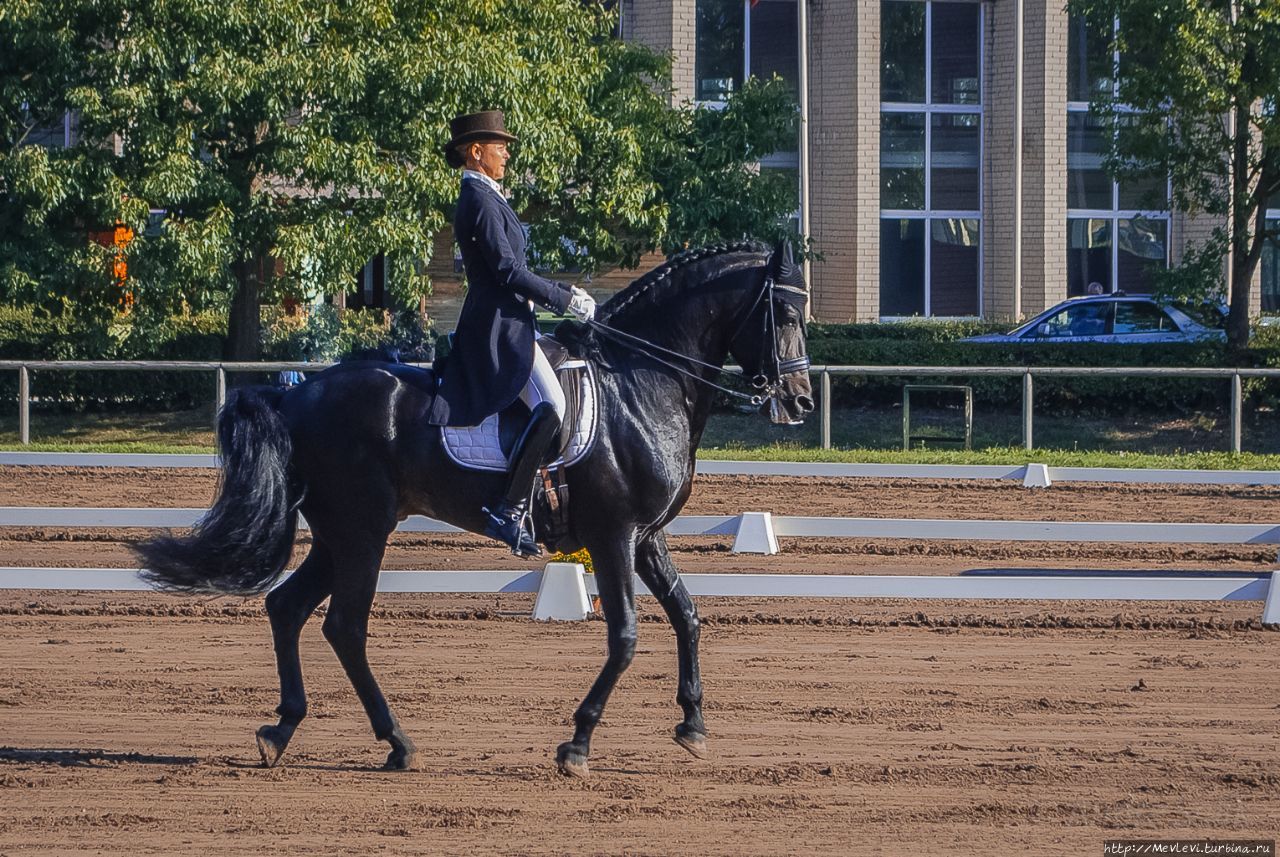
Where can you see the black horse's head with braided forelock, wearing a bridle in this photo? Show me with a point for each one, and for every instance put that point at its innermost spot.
(770, 345)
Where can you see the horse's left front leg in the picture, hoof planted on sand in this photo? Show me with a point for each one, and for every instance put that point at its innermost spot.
(615, 565)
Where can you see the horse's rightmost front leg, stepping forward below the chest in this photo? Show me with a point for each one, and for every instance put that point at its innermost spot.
(657, 572)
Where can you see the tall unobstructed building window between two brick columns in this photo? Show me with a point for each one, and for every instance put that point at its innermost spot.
(931, 154)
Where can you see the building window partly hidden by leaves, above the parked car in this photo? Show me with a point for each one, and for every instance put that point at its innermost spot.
(1117, 232)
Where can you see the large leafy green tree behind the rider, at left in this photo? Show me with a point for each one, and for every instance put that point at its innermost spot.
(271, 146)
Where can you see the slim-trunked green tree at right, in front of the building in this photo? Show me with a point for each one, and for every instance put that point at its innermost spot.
(1195, 98)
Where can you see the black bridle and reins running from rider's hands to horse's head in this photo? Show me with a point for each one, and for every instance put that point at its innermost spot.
(770, 386)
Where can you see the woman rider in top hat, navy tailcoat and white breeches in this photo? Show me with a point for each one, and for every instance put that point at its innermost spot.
(495, 359)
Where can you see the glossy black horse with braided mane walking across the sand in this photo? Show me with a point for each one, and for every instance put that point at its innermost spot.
(350, 450)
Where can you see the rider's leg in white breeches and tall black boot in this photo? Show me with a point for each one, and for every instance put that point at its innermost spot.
(508, 517)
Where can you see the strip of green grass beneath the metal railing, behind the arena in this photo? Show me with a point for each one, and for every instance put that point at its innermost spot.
(867, 436)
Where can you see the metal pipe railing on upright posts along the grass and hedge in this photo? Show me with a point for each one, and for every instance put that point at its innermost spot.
(825, 373)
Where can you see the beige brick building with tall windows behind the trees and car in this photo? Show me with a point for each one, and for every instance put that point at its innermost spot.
(912, 129)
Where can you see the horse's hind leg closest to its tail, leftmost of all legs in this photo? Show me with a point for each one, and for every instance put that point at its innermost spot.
(290, 606)
